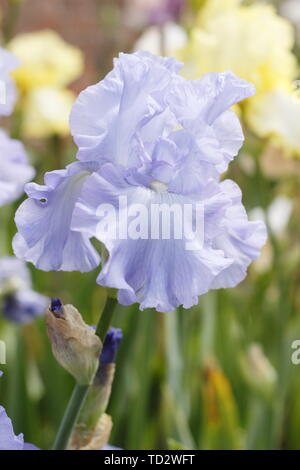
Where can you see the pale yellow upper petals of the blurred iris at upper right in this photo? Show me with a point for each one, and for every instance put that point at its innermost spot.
(252, 41)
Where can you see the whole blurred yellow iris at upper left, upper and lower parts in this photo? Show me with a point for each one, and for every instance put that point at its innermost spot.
(48, 65)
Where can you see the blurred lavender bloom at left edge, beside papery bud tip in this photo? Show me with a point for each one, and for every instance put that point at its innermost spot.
(18, 302)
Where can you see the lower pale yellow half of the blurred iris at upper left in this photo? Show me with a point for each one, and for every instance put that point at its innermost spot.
(46, 112)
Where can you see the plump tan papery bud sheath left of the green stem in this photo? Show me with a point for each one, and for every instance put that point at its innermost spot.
(74, 343)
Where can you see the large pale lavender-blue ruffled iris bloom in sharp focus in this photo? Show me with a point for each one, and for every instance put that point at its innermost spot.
(147, 134)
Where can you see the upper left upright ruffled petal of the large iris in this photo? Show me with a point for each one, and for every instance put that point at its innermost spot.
(106, 116)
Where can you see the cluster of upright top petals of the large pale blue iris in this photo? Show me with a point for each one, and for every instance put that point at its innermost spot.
(144, 100)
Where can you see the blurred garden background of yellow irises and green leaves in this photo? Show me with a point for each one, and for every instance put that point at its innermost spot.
(218, 376)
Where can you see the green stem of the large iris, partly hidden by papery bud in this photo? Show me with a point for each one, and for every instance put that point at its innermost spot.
(80, 391)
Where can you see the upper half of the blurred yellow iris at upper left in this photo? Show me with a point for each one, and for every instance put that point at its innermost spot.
(46, 60)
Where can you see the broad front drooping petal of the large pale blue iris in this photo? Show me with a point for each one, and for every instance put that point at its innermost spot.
(159, 273)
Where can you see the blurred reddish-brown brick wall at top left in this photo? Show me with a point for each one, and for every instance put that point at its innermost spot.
(98, 27)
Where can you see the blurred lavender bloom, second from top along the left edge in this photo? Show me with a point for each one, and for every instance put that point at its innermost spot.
(15, 170)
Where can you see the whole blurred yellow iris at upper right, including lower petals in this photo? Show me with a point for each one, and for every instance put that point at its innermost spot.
(256, 43)
